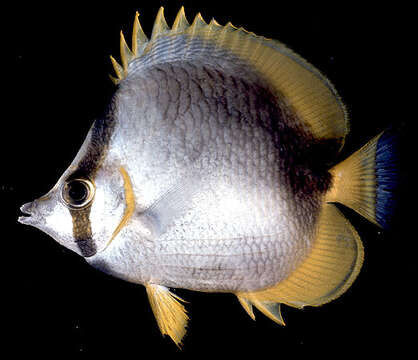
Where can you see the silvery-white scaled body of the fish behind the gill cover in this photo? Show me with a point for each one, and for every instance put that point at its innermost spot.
(214, 210)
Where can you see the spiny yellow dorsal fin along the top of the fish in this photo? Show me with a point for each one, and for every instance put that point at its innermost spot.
(309, 94)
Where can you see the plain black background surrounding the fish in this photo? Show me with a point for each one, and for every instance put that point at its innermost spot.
(55, 79)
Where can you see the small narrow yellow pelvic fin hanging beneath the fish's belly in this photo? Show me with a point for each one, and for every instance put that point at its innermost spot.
(168, 311)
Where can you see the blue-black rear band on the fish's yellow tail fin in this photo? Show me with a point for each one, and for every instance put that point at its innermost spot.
(387, 177)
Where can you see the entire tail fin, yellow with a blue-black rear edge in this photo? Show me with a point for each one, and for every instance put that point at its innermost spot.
(367, 180)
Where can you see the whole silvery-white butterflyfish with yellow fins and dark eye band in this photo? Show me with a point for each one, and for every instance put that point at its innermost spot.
(216, 168)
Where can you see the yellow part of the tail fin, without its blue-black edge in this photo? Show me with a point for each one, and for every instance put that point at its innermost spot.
(355, 183)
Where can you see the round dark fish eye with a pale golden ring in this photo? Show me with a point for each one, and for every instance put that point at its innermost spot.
(77, 193)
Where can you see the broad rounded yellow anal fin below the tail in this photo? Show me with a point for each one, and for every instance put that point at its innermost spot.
(328, 271)
